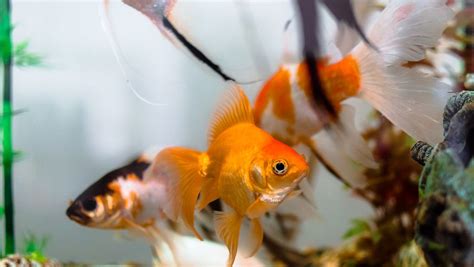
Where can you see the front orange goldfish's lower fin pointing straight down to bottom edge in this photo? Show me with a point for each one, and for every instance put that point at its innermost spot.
(228, 230)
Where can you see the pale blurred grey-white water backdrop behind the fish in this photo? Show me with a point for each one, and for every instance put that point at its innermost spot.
(83, 118)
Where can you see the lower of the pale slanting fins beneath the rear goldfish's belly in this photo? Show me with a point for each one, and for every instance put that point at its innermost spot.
(337, 161)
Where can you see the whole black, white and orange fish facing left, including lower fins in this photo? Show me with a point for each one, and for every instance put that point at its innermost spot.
(123, 200)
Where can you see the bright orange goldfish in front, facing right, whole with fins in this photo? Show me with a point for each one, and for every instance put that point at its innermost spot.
(244, 167)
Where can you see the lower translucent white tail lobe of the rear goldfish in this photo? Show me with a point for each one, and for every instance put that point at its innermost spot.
(411, 100)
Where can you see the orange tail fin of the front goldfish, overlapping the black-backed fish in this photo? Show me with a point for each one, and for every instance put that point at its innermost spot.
(181, 170)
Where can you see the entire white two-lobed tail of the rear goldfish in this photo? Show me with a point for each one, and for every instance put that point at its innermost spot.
(411, 100)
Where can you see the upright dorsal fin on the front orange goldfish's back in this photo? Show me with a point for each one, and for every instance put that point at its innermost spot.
(233, 108)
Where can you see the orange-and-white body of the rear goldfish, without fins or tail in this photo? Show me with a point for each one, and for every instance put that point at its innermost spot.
(283, 105)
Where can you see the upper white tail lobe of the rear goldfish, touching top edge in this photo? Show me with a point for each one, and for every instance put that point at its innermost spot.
(406, 28)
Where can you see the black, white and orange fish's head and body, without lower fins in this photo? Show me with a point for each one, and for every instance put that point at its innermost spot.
(115, 198)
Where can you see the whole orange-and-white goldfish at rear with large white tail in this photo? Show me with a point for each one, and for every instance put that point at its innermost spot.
(411, 100)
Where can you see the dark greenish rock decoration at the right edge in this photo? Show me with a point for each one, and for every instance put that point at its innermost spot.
(445, 218)
